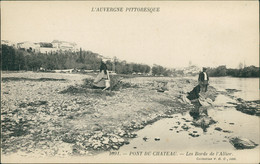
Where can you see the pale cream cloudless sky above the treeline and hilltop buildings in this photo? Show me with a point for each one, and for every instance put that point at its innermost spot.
(205, 33)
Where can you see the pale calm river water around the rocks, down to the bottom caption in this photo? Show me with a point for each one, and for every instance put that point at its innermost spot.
(168, 135)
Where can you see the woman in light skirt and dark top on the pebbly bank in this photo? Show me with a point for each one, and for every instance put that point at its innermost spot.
(103, 79)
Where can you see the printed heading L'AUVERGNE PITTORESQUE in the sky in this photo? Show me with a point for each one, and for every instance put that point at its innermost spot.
(127, 9)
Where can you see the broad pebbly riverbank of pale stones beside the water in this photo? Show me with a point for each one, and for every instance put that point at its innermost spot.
(55, 114)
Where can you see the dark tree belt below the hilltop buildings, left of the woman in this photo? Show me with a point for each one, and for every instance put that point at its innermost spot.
(15, 59)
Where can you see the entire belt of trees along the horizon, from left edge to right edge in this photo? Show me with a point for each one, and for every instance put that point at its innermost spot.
(16, 59)
